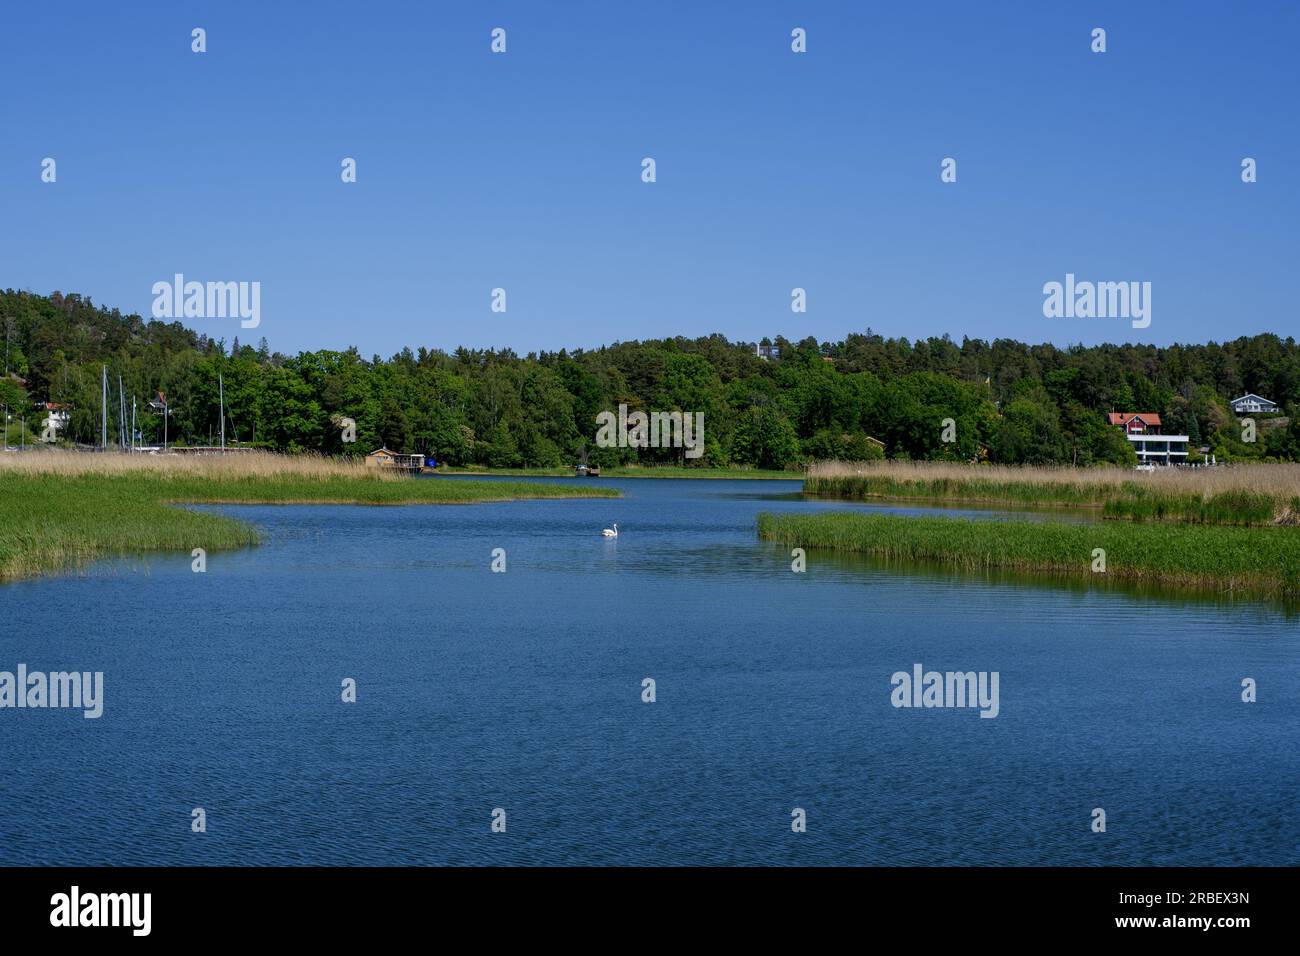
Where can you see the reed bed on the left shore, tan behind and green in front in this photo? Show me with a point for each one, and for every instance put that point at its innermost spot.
(63, 509)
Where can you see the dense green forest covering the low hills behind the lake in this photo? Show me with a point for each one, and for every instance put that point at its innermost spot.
(1009, 403)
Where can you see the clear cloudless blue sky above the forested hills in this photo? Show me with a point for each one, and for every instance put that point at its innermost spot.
(774, 170)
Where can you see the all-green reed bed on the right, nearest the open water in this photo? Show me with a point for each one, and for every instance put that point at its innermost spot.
(1253, 561)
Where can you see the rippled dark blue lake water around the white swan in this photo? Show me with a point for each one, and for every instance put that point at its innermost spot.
(523, 691)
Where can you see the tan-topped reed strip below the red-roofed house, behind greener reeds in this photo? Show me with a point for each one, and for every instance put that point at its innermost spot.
(1241, 495)
